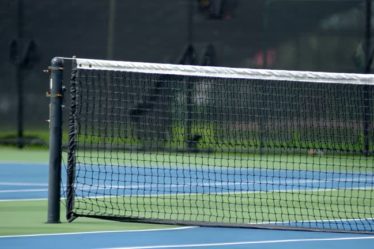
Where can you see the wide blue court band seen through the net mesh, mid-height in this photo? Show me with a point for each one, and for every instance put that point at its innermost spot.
(179, 179)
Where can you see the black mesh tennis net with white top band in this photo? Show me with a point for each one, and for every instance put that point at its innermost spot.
(221, 146)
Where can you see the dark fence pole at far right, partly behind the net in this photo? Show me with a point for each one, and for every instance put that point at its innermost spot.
(368, 53)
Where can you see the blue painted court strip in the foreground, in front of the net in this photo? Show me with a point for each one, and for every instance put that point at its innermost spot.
(193, 238)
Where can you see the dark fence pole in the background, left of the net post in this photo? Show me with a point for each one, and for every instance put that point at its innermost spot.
(19, 76)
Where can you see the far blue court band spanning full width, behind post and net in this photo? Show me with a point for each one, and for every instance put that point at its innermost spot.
(20, 181)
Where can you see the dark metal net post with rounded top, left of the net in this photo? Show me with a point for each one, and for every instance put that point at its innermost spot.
(55, 139)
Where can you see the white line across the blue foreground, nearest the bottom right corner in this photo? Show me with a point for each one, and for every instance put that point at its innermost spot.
(245, 243)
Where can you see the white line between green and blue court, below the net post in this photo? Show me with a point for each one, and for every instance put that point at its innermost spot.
(98, 232)
